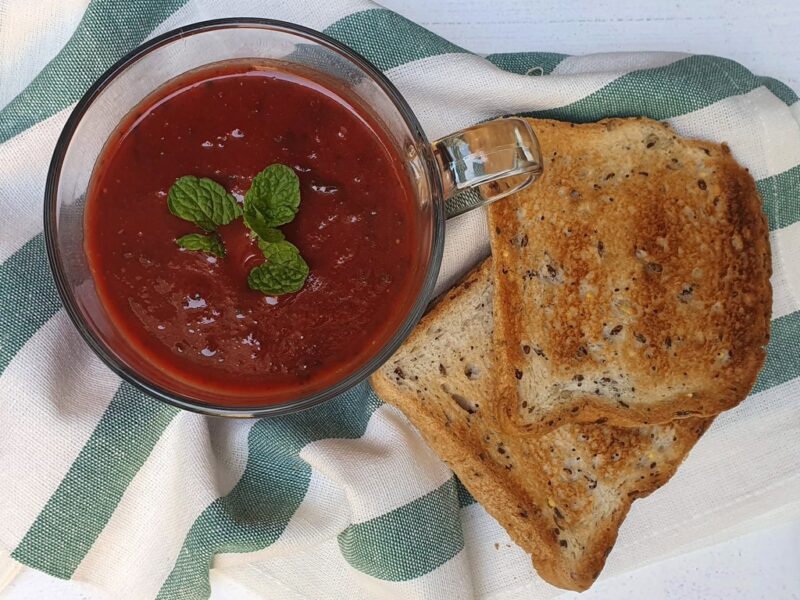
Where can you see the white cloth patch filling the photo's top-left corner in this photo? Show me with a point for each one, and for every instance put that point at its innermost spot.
(30, 36)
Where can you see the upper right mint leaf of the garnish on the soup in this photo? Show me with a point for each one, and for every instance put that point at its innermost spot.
(272, 200)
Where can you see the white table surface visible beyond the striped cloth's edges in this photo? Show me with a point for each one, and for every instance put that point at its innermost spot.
(765, 37)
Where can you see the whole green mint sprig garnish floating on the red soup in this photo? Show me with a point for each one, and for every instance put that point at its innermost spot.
(272, 200)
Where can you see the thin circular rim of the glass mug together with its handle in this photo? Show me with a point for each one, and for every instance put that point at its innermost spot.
(454, 163)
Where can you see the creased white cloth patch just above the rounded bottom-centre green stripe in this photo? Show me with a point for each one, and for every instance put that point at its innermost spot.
(387, 467)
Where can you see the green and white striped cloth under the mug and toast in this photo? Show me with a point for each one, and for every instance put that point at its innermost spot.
(102, 484)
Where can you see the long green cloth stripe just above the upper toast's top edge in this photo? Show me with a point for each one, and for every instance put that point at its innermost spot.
(664, 92)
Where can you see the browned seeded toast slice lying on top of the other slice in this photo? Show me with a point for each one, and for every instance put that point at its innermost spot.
(632, 279)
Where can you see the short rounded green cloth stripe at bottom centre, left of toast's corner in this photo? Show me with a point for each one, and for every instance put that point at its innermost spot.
(409, 541)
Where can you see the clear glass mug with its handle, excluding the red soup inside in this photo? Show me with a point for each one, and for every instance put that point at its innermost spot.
(487, 162)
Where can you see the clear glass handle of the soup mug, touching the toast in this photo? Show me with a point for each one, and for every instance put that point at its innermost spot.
(487, 162)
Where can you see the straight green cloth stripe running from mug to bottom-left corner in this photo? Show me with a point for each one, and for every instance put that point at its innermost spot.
(85, 499)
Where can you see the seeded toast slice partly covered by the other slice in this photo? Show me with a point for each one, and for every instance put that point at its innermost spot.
(561, 497)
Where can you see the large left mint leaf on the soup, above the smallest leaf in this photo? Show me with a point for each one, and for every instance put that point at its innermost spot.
(203, 202)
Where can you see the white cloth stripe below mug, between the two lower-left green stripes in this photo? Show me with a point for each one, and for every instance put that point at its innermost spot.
(195, 461)
